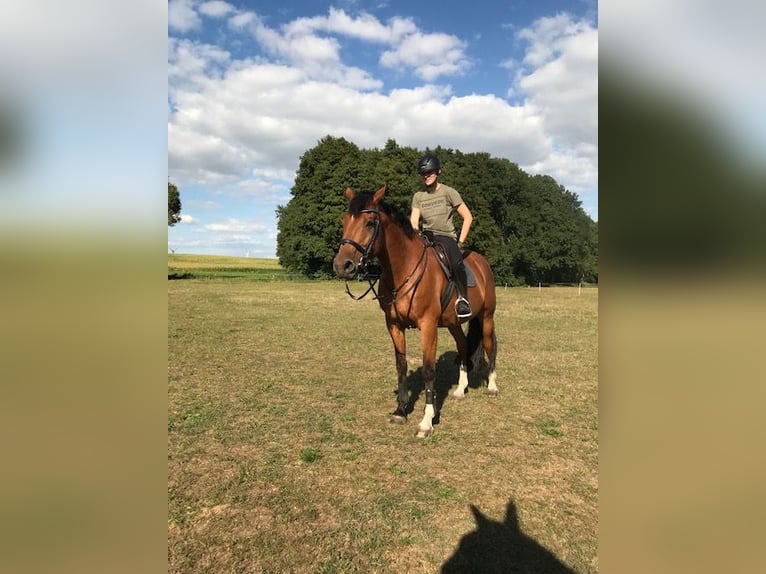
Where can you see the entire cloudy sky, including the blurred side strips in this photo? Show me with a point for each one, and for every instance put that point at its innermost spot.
(112, 99)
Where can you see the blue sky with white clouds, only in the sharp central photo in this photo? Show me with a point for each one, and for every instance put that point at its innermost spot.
(253, 85)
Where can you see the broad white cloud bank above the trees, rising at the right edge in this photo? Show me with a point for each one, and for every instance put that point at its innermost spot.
(266, 115)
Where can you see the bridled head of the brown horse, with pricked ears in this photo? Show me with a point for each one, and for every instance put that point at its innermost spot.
(361, 230)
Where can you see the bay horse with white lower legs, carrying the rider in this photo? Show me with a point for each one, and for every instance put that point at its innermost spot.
(412, 294)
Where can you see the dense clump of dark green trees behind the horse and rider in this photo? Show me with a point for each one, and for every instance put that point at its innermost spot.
(531, 229)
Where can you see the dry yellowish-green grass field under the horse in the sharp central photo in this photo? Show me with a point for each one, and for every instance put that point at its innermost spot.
(281, 459)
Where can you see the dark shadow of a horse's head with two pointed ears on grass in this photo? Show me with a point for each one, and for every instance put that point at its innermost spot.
(503, 548)
